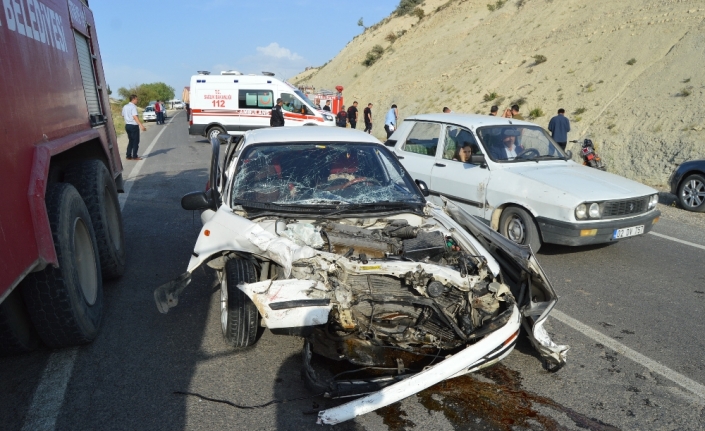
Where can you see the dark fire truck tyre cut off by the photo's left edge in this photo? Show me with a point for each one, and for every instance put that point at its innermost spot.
(17, 334)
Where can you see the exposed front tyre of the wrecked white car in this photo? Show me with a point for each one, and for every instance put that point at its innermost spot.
(239, 317)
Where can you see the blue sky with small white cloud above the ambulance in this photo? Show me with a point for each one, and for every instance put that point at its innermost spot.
(169, 40)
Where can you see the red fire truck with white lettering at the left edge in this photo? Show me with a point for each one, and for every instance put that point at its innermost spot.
(61, 228)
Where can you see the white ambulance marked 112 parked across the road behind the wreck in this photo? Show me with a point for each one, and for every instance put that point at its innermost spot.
(235, 103)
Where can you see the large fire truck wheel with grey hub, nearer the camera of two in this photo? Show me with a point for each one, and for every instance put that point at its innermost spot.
(66, 303)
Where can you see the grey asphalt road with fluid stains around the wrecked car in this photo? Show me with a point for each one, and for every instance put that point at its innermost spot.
(636, 358)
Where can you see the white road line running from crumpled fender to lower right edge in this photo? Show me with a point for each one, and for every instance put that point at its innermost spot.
(675, 377)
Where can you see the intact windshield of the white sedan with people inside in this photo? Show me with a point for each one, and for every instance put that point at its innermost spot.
(515, 143)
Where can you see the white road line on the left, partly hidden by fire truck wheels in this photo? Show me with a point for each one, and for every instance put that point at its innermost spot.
(49, 394)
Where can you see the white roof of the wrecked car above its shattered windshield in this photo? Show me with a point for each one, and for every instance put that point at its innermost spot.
(308, 134)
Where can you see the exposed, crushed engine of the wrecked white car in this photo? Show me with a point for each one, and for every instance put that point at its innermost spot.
(411, 287)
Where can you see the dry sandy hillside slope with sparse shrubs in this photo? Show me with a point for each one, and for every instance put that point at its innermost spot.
(645, 117)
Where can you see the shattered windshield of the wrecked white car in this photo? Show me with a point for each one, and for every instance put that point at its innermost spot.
(311, 174)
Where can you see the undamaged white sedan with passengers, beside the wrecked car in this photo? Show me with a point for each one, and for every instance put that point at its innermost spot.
(512, 175)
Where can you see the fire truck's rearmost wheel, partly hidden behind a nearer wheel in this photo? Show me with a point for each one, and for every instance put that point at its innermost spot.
(93, 182)
